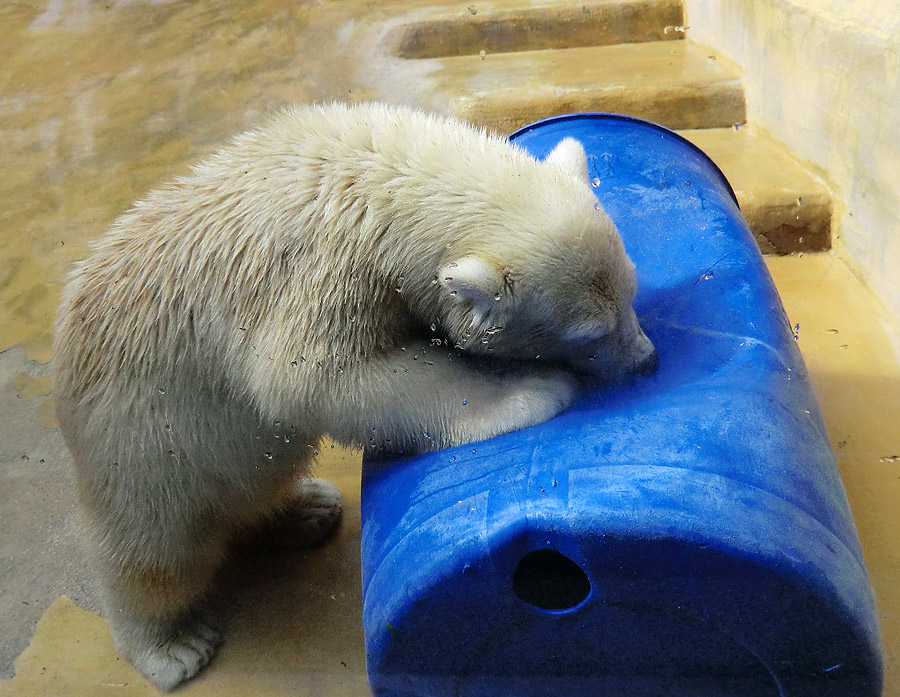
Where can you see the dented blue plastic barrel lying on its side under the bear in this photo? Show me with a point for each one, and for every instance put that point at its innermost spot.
(703, 504)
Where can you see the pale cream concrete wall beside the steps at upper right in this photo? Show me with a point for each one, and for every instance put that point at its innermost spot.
(824, 77)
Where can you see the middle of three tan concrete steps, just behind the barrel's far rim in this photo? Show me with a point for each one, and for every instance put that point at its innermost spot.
(677, 84)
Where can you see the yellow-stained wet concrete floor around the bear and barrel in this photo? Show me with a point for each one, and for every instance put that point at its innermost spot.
(101, 101)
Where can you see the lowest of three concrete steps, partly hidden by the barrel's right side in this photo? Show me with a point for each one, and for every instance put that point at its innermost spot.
(788, 207)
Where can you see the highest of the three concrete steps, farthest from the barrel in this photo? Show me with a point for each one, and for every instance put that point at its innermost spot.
(501, 26)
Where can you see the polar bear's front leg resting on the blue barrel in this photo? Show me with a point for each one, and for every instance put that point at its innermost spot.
(425, 397)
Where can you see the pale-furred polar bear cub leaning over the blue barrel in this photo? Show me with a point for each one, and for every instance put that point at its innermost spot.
(389, 278)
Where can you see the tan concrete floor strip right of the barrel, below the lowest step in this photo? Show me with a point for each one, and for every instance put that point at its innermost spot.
(851, 346)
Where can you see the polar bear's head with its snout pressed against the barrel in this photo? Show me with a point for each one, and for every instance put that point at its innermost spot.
(560, 290)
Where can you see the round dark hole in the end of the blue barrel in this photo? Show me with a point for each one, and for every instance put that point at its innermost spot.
(549, 580)
